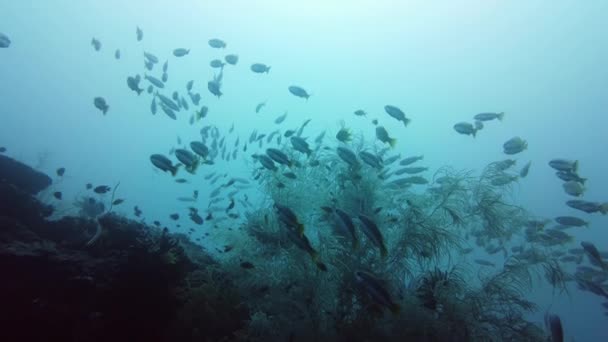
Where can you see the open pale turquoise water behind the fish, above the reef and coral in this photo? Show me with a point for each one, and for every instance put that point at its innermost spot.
(543, 63)
